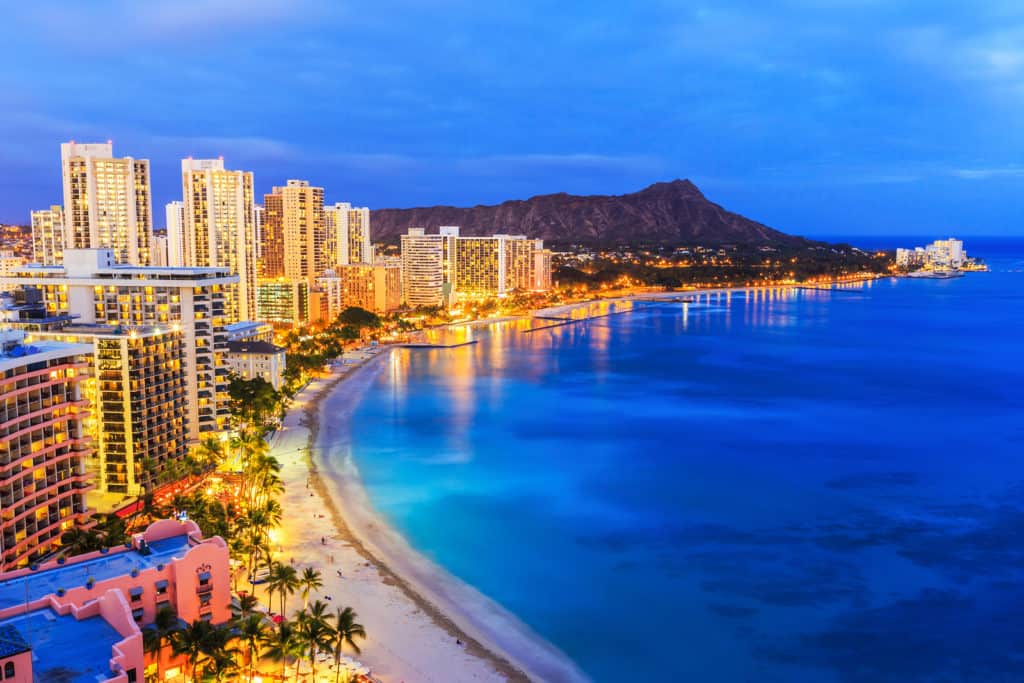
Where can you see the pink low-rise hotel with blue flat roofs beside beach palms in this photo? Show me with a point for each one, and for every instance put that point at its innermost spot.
(80, 620)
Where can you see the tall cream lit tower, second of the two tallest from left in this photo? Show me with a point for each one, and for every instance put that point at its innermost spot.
(220, 229)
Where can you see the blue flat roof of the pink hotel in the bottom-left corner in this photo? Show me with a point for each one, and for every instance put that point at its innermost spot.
(65, 649)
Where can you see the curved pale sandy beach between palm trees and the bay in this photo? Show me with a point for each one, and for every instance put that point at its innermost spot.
(423, 625)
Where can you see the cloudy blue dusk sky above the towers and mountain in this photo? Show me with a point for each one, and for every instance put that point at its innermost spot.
(817, 117)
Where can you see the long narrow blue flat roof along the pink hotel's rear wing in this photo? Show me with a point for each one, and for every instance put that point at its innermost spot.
(31, 587)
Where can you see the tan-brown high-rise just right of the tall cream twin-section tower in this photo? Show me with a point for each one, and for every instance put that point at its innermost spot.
(296, 237)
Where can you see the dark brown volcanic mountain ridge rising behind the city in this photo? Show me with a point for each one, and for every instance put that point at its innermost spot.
(667, 212)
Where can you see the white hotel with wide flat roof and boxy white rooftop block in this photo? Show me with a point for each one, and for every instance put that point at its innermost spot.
(94, 288)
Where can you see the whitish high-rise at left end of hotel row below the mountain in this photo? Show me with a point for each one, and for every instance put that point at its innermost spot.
(426, 267)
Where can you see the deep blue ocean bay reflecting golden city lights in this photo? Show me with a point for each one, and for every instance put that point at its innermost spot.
(800, 487)
